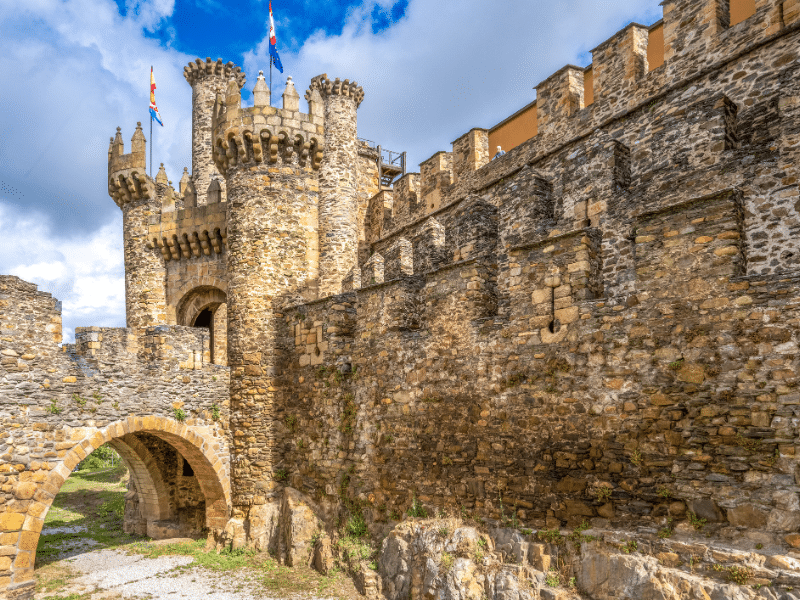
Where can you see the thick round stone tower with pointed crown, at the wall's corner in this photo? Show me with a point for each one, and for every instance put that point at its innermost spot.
(270, 159)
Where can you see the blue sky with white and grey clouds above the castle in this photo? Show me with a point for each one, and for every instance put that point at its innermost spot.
(74, 70)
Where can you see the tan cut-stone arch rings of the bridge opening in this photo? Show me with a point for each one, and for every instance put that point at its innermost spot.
(196, 445)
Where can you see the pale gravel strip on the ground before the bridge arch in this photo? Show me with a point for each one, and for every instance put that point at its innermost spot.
(110, 574)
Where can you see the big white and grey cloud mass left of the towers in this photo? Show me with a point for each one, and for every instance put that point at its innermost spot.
(79, 70)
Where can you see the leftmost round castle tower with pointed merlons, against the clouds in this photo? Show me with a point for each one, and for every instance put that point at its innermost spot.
(135, 193)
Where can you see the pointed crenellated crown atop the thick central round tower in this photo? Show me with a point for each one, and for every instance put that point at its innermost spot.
(264, 133)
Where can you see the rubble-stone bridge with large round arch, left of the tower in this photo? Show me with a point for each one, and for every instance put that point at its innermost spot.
(151, 394)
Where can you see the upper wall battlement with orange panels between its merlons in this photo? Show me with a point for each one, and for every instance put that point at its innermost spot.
(639, 65)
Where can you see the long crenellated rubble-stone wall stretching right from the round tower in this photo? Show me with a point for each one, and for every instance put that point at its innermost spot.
(608, 305)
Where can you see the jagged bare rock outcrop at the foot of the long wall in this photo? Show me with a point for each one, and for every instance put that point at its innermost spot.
(447, 560)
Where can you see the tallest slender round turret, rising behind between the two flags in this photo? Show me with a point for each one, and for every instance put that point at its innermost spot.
(207, 80)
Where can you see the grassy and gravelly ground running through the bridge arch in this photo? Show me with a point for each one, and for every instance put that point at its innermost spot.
(84, 555)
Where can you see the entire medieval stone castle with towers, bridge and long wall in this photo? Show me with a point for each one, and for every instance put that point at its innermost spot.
(600, 325)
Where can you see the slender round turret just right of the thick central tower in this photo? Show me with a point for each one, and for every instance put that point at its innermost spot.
(338, 203)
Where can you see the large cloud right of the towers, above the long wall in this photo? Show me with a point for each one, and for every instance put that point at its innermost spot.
(450, 65)
